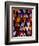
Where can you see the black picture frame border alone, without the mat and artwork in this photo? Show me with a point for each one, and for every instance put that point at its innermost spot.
(7, 4)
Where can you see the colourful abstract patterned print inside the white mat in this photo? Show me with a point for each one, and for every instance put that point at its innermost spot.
(21, 22)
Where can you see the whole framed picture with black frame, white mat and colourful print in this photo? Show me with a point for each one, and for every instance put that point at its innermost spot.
(23, 12)
